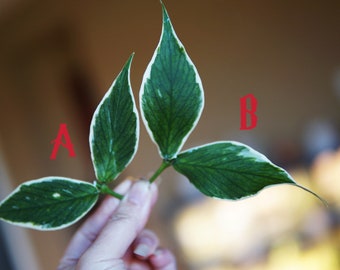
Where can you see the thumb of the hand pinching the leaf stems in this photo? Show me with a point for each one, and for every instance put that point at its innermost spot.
(122, 228)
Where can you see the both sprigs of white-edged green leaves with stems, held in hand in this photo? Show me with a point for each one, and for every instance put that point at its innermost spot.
(171, 102)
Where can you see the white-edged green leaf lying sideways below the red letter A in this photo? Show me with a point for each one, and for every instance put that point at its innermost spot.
(49, 203)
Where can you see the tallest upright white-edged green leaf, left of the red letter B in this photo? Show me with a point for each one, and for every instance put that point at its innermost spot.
(171, 95)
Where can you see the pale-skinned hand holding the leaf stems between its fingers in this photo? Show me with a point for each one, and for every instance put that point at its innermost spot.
(114, 237)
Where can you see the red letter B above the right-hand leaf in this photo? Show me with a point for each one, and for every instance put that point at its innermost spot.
(251, 111)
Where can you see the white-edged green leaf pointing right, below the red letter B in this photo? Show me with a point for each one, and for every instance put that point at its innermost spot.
(229, 170)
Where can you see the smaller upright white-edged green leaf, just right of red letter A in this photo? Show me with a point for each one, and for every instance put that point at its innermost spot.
(114, 130)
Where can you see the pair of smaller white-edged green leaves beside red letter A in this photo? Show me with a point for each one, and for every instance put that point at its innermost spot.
(52, 203)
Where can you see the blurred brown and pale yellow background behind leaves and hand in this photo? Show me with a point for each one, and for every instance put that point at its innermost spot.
(58, 58)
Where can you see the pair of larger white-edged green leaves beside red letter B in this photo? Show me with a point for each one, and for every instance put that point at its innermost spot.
(172, 101)
